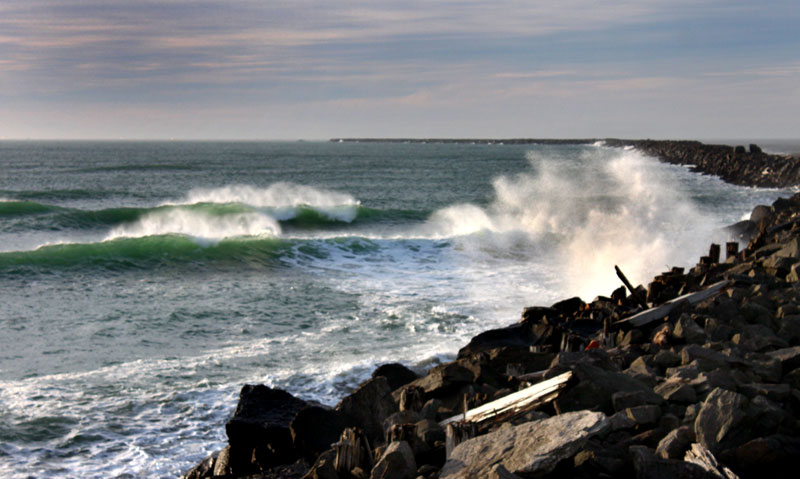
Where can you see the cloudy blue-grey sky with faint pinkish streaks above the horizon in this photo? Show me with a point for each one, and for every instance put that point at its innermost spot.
(261, 70)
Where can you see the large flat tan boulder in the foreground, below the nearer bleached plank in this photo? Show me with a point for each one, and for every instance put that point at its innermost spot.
(530, 449)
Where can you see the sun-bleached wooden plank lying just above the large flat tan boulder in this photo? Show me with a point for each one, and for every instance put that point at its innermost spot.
(514, 402)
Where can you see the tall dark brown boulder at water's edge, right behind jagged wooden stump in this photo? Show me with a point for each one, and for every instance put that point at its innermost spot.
(368, 406)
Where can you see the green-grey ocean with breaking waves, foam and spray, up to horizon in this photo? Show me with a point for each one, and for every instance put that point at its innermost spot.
(143, 283)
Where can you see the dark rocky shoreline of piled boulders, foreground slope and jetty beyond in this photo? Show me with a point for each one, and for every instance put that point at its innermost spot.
(696, 374)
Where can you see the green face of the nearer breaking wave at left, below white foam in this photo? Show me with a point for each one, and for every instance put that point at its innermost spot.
(145, 253)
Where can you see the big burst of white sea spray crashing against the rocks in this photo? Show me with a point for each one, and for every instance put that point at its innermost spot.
(617, 207)
